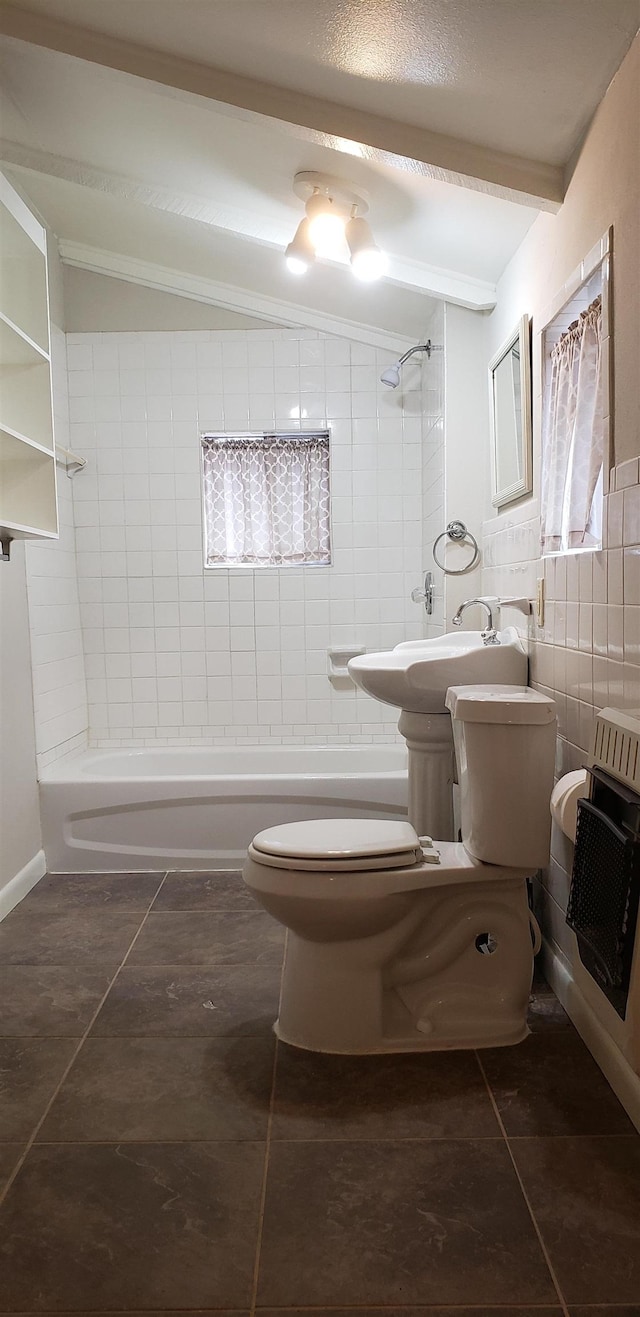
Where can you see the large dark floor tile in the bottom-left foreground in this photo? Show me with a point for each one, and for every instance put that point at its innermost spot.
(167, 1227)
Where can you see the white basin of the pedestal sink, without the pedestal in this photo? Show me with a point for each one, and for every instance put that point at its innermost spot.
(417, 675)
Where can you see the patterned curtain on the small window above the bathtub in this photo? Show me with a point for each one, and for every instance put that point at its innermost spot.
(267, 500)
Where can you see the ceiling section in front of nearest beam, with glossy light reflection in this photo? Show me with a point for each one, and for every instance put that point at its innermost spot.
(521, 77)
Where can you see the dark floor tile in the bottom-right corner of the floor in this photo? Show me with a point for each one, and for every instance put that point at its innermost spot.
(585, 1194)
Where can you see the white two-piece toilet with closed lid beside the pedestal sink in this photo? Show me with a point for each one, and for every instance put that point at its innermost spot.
(400, 944)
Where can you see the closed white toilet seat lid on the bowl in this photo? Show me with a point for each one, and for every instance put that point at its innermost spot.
(338, 840)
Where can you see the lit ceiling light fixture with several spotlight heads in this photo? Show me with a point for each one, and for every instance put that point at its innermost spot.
(334, 226)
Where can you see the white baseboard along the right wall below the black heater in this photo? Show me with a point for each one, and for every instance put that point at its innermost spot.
(614, 1066)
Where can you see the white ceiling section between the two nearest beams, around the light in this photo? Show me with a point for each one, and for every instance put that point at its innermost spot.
(184, 156)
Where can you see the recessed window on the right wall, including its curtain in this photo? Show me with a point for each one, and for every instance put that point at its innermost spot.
(576, 423)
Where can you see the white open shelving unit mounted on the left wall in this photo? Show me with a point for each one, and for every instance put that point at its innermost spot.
(28, 491)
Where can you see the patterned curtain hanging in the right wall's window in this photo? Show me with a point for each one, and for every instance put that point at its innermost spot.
(573, 438)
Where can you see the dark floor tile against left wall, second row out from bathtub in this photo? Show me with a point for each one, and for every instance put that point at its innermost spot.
(77, 938)
